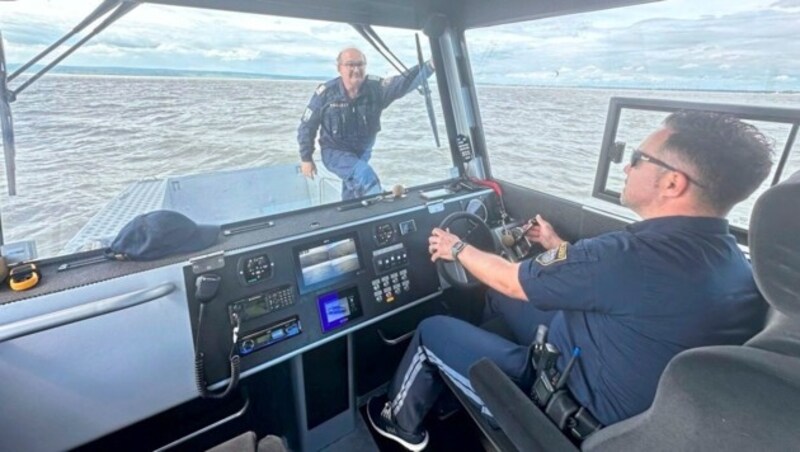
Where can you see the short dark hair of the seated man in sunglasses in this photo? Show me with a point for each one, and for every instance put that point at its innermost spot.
(731, 157)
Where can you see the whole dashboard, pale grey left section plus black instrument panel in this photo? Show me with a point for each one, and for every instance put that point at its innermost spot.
(295, 289)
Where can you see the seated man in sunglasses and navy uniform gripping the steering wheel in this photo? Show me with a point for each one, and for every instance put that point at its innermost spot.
(631, 299)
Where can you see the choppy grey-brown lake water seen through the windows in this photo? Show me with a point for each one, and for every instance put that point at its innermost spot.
(82, 139)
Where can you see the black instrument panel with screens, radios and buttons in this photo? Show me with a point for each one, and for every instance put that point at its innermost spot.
(298, 292)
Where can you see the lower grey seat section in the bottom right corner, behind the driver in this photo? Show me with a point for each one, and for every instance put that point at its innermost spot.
(716, 398)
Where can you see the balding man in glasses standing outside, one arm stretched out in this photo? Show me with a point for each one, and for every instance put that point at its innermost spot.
(347, 113)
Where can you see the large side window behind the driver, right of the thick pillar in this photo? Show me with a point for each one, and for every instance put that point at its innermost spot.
(544, 86)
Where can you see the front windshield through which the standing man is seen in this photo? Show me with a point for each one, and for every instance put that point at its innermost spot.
(198, 111)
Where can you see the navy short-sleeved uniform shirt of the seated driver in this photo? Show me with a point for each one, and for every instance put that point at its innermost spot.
(633, 299)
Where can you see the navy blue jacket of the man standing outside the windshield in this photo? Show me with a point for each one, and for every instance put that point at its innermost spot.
(352, 124)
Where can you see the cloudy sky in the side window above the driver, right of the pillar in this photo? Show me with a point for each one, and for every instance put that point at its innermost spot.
(673, 43)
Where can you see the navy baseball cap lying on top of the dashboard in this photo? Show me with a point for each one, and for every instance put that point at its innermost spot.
(161, 233)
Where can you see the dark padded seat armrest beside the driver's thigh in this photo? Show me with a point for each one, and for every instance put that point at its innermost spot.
(524, 423)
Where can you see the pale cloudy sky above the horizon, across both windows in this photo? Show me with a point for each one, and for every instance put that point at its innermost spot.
(708, 44)
